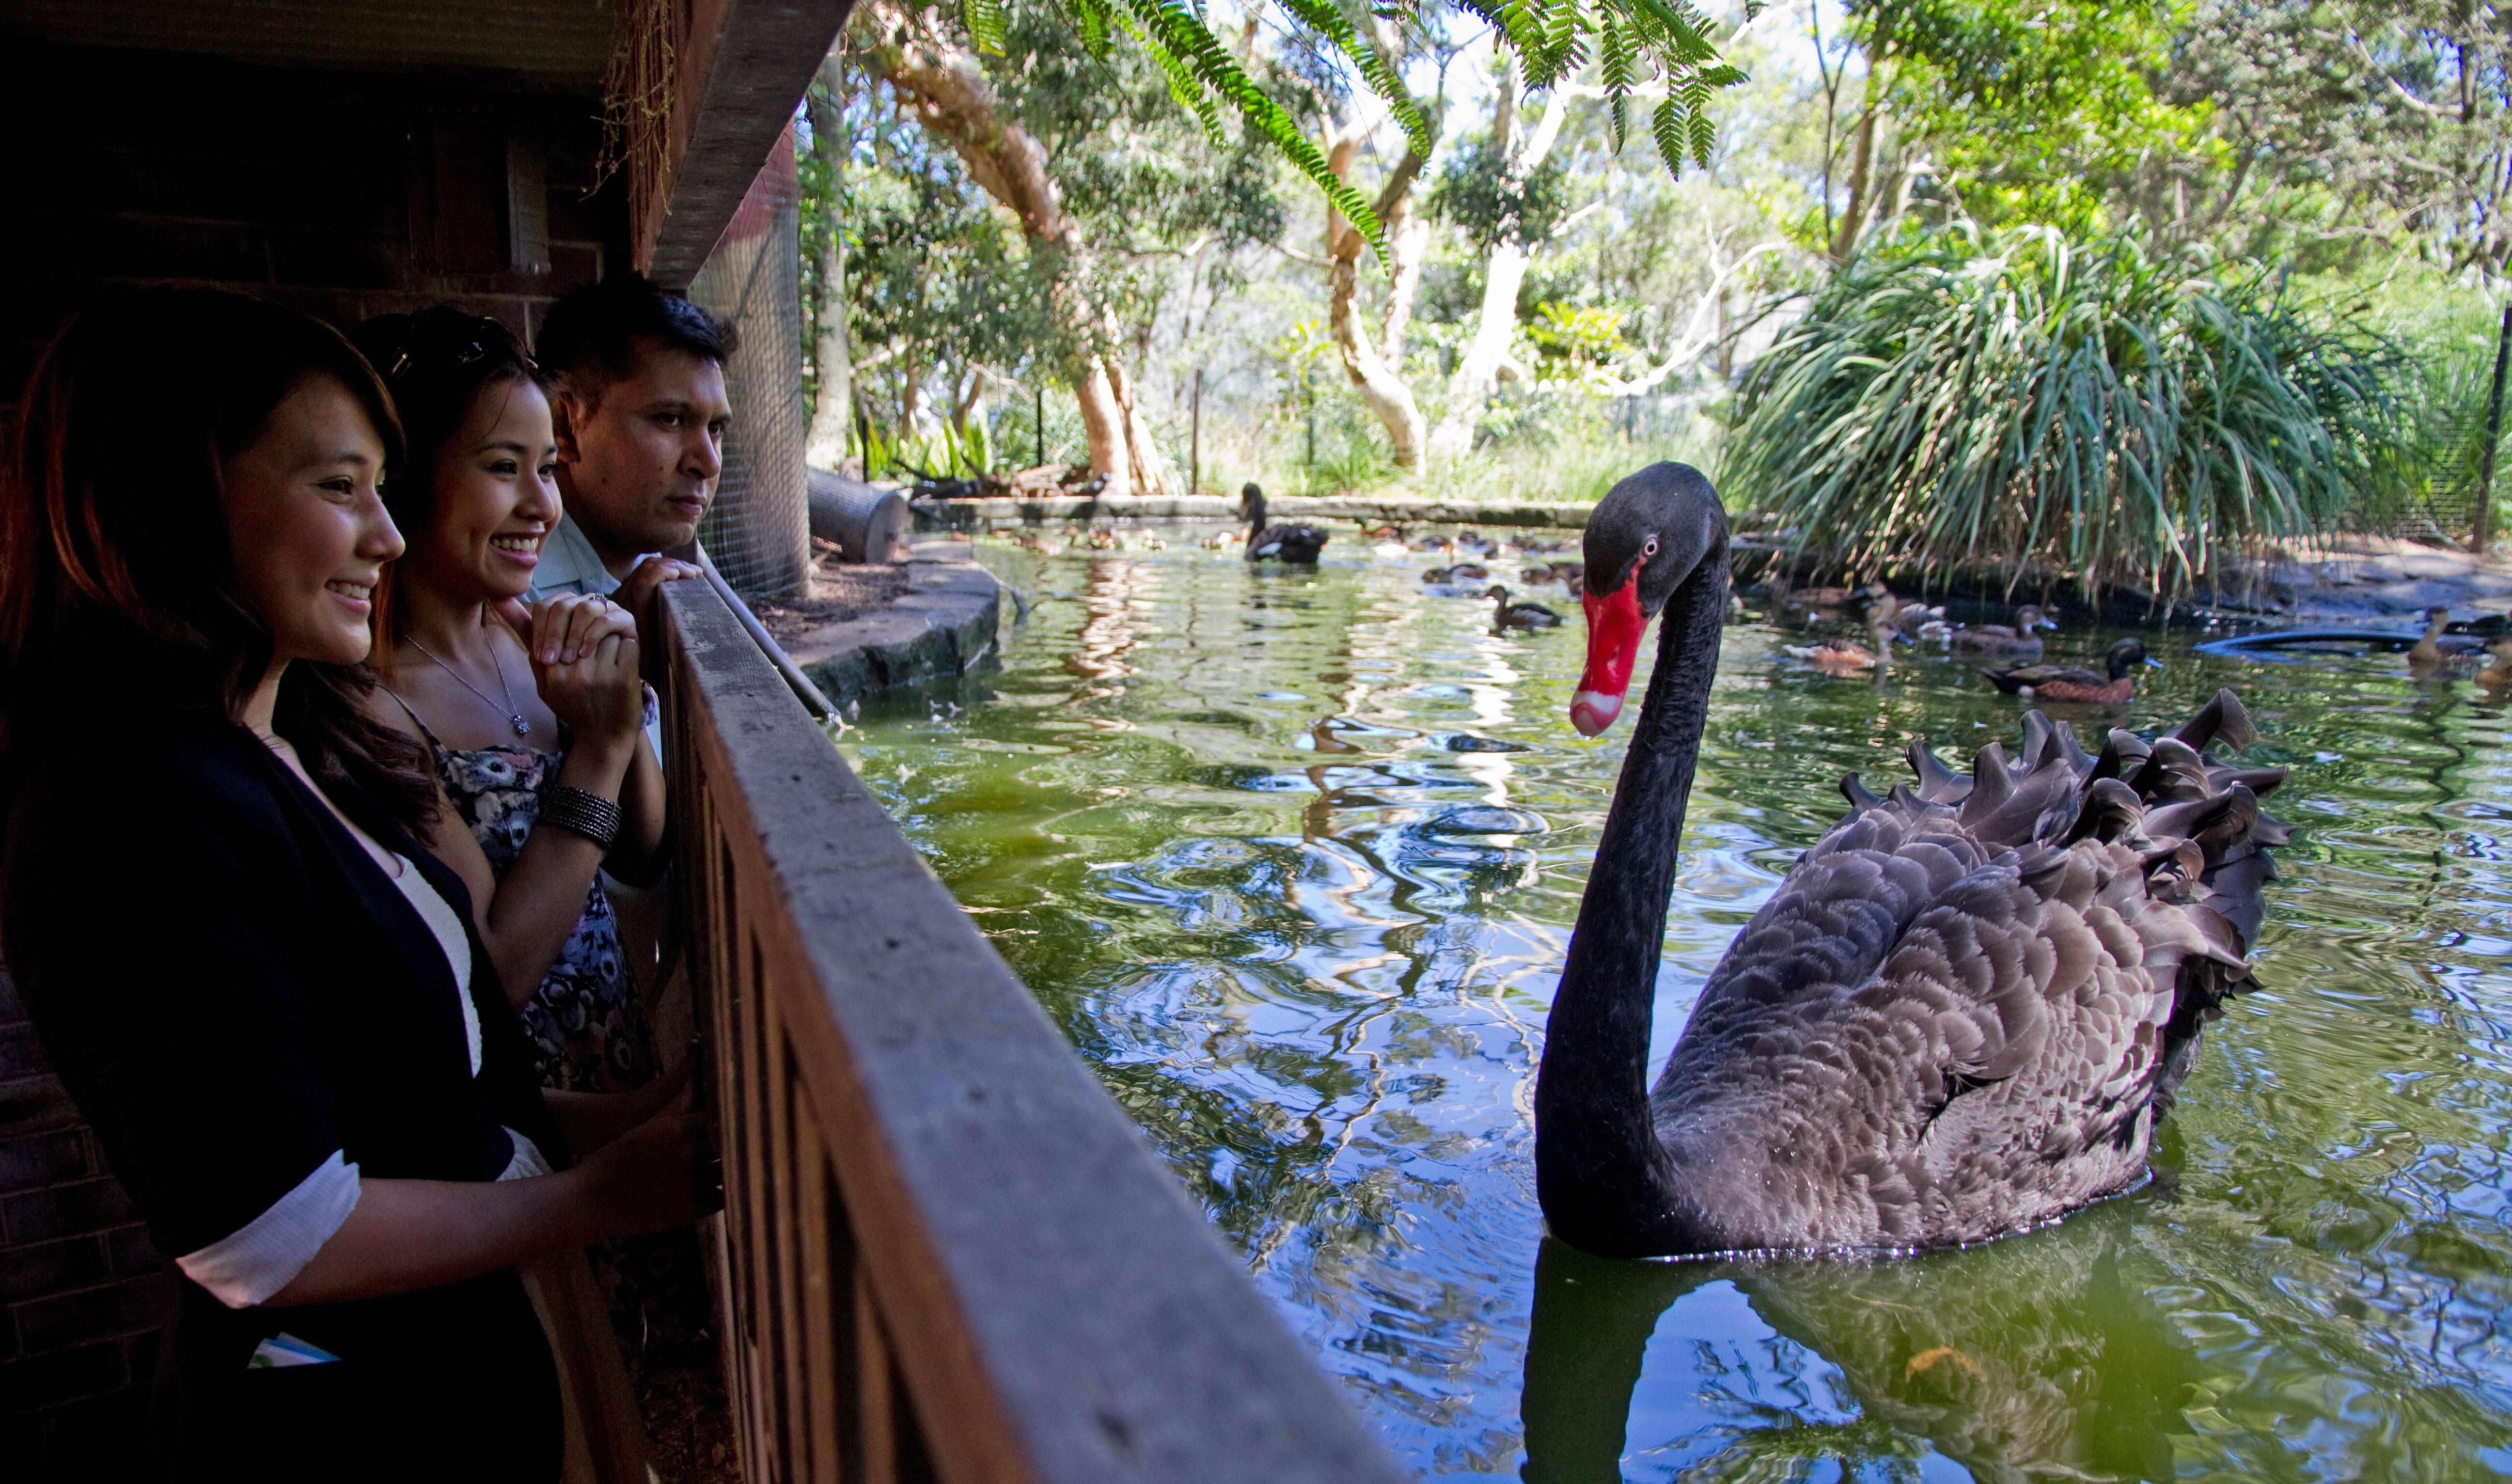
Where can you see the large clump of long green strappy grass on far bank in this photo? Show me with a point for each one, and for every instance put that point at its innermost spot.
(2104, 411)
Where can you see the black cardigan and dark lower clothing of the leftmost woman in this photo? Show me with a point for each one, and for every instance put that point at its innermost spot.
(232, 991)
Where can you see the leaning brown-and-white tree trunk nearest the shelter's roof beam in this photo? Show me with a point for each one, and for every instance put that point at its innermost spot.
(946, 87)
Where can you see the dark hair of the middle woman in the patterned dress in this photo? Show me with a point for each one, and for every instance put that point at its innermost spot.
(433, 363)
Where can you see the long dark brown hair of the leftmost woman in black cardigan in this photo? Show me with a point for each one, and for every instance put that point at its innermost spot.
(117, 579)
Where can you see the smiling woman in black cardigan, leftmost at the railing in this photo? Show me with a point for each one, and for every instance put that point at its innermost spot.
(265, 996)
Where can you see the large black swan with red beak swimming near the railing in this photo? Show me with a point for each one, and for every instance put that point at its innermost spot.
(1963, 1011)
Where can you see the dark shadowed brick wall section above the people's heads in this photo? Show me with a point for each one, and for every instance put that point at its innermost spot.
(345, 195)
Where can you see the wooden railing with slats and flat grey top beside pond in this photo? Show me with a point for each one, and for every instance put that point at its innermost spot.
(946, 1252)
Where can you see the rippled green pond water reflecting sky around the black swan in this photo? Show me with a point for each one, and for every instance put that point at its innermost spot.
(1217, 822)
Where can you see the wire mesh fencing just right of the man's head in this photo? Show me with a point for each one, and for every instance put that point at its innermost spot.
(760, 529)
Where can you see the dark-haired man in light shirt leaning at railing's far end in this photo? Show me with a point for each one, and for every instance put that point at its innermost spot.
(642, 416)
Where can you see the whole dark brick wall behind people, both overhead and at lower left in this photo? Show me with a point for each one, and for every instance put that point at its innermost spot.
(345, 197)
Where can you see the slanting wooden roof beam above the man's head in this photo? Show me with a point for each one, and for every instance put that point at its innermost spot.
(737, 79)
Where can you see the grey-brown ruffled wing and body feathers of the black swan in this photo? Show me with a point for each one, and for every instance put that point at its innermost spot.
(1971, 1001)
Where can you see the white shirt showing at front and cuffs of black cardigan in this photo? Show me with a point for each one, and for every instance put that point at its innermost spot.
(265, 1254)
